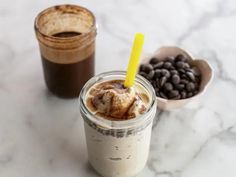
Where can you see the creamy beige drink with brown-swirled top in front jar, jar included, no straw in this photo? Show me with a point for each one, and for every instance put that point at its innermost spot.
(118, 123)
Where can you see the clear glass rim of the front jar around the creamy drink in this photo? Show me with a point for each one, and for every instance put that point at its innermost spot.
(116, 124)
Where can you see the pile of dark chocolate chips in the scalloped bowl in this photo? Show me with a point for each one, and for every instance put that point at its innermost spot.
(172, 78)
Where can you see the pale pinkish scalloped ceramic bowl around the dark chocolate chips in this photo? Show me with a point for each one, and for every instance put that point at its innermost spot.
(204, 67)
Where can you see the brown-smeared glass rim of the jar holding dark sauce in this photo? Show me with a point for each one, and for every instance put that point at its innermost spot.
(55, 8)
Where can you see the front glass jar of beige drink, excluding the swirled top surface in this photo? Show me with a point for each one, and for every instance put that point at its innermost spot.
(118, 148)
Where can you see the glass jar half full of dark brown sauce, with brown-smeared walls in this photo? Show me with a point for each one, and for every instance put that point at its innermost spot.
(66, 36)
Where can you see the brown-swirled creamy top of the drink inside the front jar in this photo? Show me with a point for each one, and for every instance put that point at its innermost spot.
(111, 100)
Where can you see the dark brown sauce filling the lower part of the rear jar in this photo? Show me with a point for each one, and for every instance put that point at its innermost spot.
(66, 80)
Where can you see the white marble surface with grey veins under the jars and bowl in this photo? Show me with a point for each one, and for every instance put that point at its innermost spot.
(42, 136)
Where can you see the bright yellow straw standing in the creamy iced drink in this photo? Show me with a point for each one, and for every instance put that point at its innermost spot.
(134, 59)
